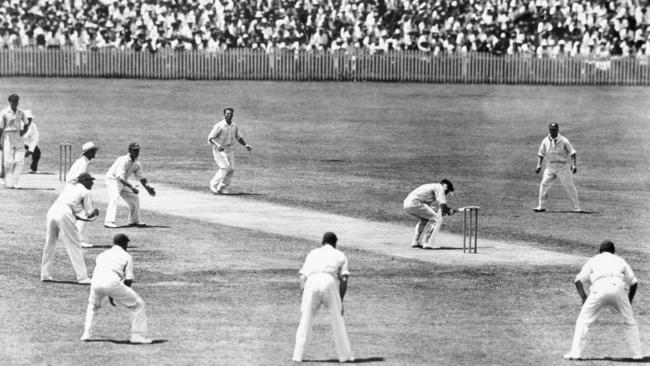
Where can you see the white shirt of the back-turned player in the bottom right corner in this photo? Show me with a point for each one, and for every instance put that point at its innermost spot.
(606, 265)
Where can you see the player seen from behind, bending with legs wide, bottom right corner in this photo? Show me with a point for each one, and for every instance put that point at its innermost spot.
(609, 275)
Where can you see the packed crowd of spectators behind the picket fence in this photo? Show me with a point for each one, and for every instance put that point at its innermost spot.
(542, 28)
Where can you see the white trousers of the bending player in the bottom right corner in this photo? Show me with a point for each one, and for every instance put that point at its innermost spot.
(609, 293)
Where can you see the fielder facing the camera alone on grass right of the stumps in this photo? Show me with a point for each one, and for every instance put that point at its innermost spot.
(561, 163)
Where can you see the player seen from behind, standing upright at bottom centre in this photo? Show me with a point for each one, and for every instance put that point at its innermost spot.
(323, 280)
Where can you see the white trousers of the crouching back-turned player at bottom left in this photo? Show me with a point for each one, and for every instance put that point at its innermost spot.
(123, 295)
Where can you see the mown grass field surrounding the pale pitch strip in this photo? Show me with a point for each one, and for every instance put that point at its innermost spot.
(225, 296)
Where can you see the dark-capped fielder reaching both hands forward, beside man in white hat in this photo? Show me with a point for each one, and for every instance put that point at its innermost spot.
(117, 185)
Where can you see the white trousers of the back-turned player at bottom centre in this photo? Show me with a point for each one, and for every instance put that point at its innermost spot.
(322, 289)
